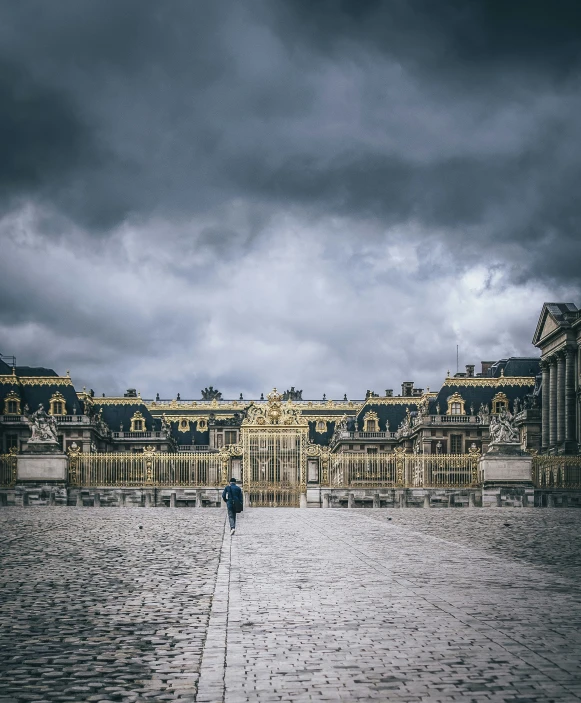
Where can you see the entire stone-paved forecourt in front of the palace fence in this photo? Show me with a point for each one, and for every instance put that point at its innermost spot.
(441, 605)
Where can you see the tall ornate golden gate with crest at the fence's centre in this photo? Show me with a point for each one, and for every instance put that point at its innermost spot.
(274, 438)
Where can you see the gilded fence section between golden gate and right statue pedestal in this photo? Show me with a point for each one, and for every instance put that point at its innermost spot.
(399, 470)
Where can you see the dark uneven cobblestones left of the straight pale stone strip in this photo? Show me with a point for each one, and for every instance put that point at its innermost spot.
(105, 604)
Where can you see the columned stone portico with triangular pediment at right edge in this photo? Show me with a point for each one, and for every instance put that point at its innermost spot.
(558, 336)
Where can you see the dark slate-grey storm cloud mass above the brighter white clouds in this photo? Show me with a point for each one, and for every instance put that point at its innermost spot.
(123, 109)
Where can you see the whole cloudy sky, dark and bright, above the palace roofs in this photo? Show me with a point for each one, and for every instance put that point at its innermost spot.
(325, 194)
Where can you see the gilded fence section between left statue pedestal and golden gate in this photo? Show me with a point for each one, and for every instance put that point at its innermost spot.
(147, 469)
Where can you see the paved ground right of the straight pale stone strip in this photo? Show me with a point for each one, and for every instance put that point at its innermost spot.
(346, 605)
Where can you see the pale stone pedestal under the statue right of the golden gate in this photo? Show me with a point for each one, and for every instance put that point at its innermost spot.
(506, 473)
